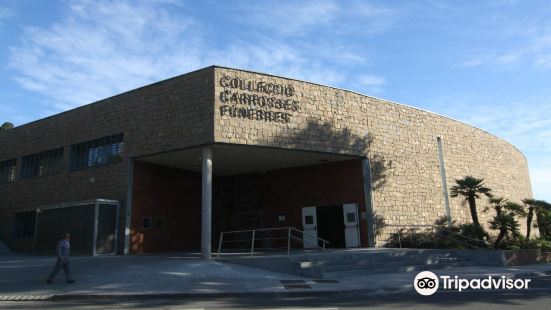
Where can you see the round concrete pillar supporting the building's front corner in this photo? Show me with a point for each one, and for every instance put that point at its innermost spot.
(206, 213)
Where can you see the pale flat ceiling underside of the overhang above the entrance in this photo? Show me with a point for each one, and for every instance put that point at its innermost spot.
(230, 159)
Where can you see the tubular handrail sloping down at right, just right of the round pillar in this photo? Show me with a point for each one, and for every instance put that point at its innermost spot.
(254, 237)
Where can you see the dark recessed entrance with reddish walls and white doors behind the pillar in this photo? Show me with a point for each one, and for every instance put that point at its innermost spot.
(252, 188)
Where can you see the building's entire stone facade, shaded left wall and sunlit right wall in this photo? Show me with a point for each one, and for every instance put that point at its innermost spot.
(227, 106)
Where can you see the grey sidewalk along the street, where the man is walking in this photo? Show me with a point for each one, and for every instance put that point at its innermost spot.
(23, 277)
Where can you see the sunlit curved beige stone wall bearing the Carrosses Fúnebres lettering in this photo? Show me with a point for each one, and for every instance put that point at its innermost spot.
(400, 142)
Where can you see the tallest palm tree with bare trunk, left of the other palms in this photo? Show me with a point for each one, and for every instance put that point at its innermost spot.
(471, 188)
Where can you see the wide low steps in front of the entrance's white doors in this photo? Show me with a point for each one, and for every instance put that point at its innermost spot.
(348, 263)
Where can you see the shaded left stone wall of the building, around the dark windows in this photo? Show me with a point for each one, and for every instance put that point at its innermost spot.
(171, 114)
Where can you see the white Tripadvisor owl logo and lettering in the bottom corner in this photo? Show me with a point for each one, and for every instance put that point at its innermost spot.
(427, 283)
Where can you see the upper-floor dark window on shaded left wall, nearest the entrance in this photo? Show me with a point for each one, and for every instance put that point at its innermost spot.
(96, 152)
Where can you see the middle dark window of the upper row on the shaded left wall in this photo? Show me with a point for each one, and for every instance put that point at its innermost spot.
(42, 164)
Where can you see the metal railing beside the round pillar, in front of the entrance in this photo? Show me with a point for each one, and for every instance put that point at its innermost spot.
(282, 237)
